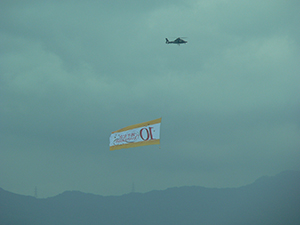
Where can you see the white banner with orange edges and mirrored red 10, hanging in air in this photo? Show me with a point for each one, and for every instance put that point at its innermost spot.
(147, 133)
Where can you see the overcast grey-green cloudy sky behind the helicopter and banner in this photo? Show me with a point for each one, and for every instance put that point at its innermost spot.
(72, 72)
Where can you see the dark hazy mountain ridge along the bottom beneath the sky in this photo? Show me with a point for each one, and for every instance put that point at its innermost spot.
(269, 200)
